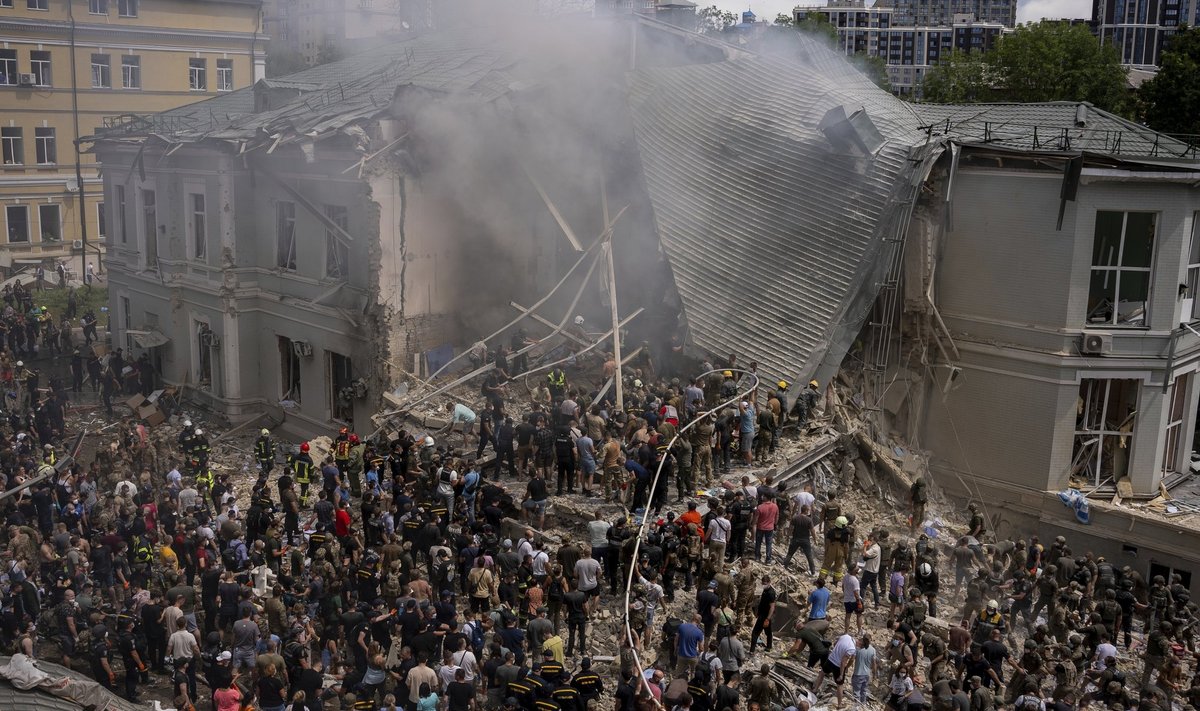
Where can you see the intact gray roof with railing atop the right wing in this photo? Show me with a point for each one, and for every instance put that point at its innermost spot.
(1049, 127)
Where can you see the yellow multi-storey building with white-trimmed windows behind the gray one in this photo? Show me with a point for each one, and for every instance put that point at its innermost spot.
(67, 68)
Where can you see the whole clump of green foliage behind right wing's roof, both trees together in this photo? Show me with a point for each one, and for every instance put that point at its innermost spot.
(1039, 62)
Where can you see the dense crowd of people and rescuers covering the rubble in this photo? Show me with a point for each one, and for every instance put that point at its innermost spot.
(413, 572)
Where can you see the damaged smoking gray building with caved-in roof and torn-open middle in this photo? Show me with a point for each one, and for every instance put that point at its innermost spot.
(1010, 288)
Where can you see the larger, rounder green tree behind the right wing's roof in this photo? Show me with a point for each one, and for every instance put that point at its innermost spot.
(1058, 62)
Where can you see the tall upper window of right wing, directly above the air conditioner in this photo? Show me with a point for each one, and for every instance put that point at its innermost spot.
(1123, 255)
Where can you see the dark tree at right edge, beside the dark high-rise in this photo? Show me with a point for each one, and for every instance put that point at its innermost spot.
(1171, 101)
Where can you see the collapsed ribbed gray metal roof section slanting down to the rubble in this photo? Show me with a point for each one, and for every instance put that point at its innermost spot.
(771, 234)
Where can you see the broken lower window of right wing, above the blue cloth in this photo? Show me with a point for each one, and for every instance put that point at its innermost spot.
(1105, 423)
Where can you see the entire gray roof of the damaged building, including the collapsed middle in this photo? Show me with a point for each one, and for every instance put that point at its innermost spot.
(779, 187)
